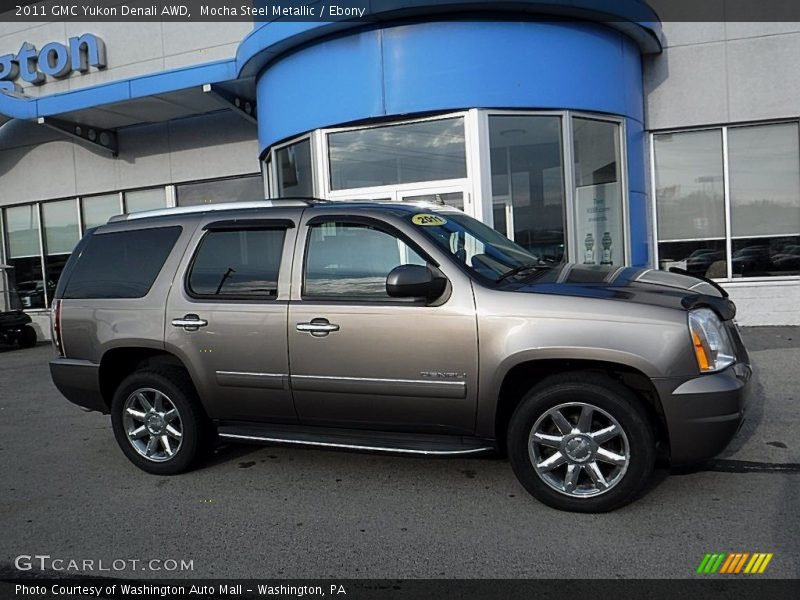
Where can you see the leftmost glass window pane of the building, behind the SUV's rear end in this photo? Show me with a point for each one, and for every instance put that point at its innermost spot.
(24, 256)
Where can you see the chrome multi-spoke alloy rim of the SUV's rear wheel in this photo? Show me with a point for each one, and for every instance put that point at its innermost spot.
(152, 424)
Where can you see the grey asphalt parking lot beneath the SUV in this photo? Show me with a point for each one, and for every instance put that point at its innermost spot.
(67, 491)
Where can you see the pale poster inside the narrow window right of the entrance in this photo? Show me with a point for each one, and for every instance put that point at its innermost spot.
(599, 225)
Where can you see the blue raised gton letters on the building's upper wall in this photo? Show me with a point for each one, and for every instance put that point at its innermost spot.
(53, 60)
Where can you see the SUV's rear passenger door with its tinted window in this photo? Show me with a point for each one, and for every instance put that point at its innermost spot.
(238, 354)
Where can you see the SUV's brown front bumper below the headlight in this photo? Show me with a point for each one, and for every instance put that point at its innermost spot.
(704, 413)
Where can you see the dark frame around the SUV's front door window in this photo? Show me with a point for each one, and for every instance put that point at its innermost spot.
(360, 221)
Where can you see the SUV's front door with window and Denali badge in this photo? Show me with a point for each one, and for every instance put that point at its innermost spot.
(375, 362)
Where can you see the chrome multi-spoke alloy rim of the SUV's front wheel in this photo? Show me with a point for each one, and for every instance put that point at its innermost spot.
(579, 450)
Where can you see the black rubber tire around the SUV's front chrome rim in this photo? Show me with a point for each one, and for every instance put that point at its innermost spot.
(612, 399)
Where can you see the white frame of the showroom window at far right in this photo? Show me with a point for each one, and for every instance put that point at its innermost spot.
(728, 238)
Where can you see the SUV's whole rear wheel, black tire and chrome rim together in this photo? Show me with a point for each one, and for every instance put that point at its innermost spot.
(158, 422)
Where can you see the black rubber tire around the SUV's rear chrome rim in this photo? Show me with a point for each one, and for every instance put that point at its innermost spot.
(197, 433)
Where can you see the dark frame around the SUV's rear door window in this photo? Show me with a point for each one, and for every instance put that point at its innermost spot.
(261, 225)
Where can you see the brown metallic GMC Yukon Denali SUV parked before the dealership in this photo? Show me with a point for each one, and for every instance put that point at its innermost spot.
(399, 327)
